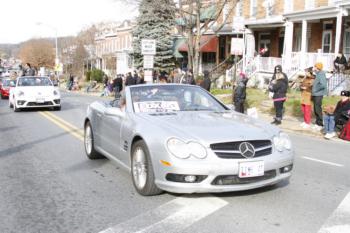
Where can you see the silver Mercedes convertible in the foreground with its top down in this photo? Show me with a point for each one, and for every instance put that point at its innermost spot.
(181, 139)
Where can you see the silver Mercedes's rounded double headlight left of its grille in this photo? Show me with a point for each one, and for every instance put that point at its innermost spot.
(183, 150)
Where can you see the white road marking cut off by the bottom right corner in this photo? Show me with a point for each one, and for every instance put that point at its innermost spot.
(339, 221)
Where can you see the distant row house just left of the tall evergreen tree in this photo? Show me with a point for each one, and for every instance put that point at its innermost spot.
(114, 48)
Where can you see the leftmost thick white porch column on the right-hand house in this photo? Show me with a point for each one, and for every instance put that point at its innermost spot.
(288, 46)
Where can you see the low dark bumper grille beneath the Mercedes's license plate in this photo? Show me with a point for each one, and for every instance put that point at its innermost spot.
(234, 179)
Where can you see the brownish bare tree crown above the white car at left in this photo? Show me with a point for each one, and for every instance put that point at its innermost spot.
(38, 52)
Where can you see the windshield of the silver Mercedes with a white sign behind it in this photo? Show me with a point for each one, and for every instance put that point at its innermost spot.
(170, 98)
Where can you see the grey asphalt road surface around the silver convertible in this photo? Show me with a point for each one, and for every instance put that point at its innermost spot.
(48, 185)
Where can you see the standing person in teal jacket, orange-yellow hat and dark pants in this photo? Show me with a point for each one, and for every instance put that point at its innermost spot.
(319, 89)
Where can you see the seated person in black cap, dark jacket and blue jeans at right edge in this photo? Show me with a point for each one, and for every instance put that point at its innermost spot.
(335, 115)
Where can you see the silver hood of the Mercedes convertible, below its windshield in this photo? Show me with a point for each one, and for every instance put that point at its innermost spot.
(212, 127)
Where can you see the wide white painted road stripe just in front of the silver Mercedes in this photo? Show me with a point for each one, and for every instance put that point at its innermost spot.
(174, 216)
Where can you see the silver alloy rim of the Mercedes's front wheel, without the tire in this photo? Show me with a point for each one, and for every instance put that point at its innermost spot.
(139, 168)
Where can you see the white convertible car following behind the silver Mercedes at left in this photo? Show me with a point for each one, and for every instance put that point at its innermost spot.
(34, 92)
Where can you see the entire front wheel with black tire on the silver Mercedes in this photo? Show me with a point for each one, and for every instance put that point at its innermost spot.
(142, 170)
